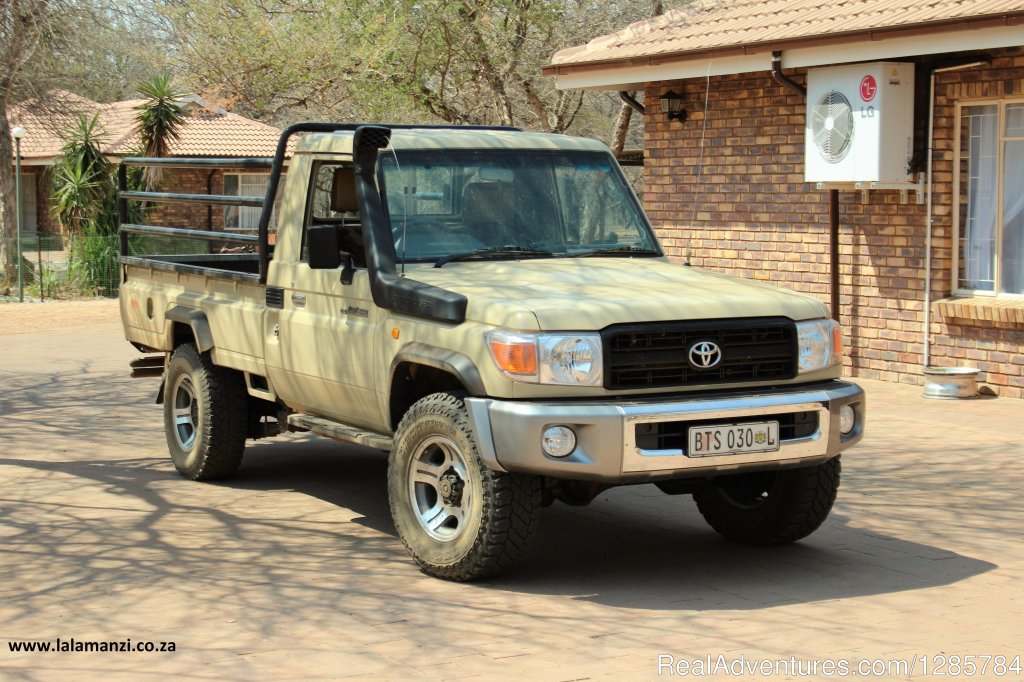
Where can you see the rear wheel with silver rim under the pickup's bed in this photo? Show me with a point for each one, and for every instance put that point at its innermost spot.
(206, 416)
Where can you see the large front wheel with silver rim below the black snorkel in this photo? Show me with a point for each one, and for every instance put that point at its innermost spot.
(490, 527)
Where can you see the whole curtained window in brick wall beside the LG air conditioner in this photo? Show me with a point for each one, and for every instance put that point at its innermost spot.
(989, 189)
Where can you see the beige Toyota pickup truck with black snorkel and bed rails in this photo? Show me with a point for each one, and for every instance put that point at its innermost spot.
(492, 309)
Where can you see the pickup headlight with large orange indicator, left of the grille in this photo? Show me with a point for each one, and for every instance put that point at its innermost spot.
(568, 360)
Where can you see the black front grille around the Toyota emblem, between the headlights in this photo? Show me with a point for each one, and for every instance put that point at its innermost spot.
(655, 356)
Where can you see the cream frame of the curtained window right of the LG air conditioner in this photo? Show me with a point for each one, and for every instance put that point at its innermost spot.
(1002, 106)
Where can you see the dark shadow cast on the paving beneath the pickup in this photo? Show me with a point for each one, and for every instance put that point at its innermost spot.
(636, 547)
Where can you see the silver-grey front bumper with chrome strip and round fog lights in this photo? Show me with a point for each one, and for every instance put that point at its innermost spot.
(509, 433)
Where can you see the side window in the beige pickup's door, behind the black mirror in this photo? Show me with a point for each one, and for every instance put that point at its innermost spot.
(332, 202)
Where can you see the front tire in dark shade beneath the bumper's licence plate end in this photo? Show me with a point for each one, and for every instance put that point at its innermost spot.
(771, 507)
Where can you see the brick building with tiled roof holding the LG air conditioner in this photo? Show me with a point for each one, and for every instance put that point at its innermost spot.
(727, 188)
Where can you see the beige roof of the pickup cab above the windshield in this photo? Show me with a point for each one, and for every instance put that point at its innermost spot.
(453, 139)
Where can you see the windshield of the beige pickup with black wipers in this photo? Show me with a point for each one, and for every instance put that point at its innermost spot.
(447, 206)
